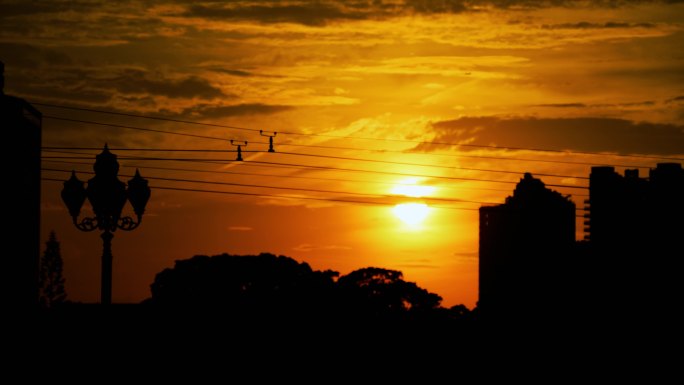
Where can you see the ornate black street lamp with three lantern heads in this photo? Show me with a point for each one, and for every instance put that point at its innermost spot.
(107, 196)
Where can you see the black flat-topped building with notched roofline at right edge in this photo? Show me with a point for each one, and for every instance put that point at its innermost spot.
(634, 230)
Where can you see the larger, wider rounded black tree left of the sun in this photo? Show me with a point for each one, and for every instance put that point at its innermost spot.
(244, 285)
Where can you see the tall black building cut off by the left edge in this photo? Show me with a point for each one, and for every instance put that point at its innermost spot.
(21, 127)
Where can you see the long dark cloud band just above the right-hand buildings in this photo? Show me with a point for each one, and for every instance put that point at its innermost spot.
(579, 134)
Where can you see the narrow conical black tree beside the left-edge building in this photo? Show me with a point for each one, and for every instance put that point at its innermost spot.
(51, 281)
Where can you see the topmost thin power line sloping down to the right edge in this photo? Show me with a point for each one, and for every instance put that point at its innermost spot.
(356, 137)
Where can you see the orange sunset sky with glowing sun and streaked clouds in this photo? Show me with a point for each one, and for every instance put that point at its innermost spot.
(392, 87)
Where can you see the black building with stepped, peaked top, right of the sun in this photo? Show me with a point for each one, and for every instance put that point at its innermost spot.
(526, 247)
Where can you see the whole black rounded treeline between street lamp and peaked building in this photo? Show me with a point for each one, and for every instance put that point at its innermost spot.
(266, 286)
